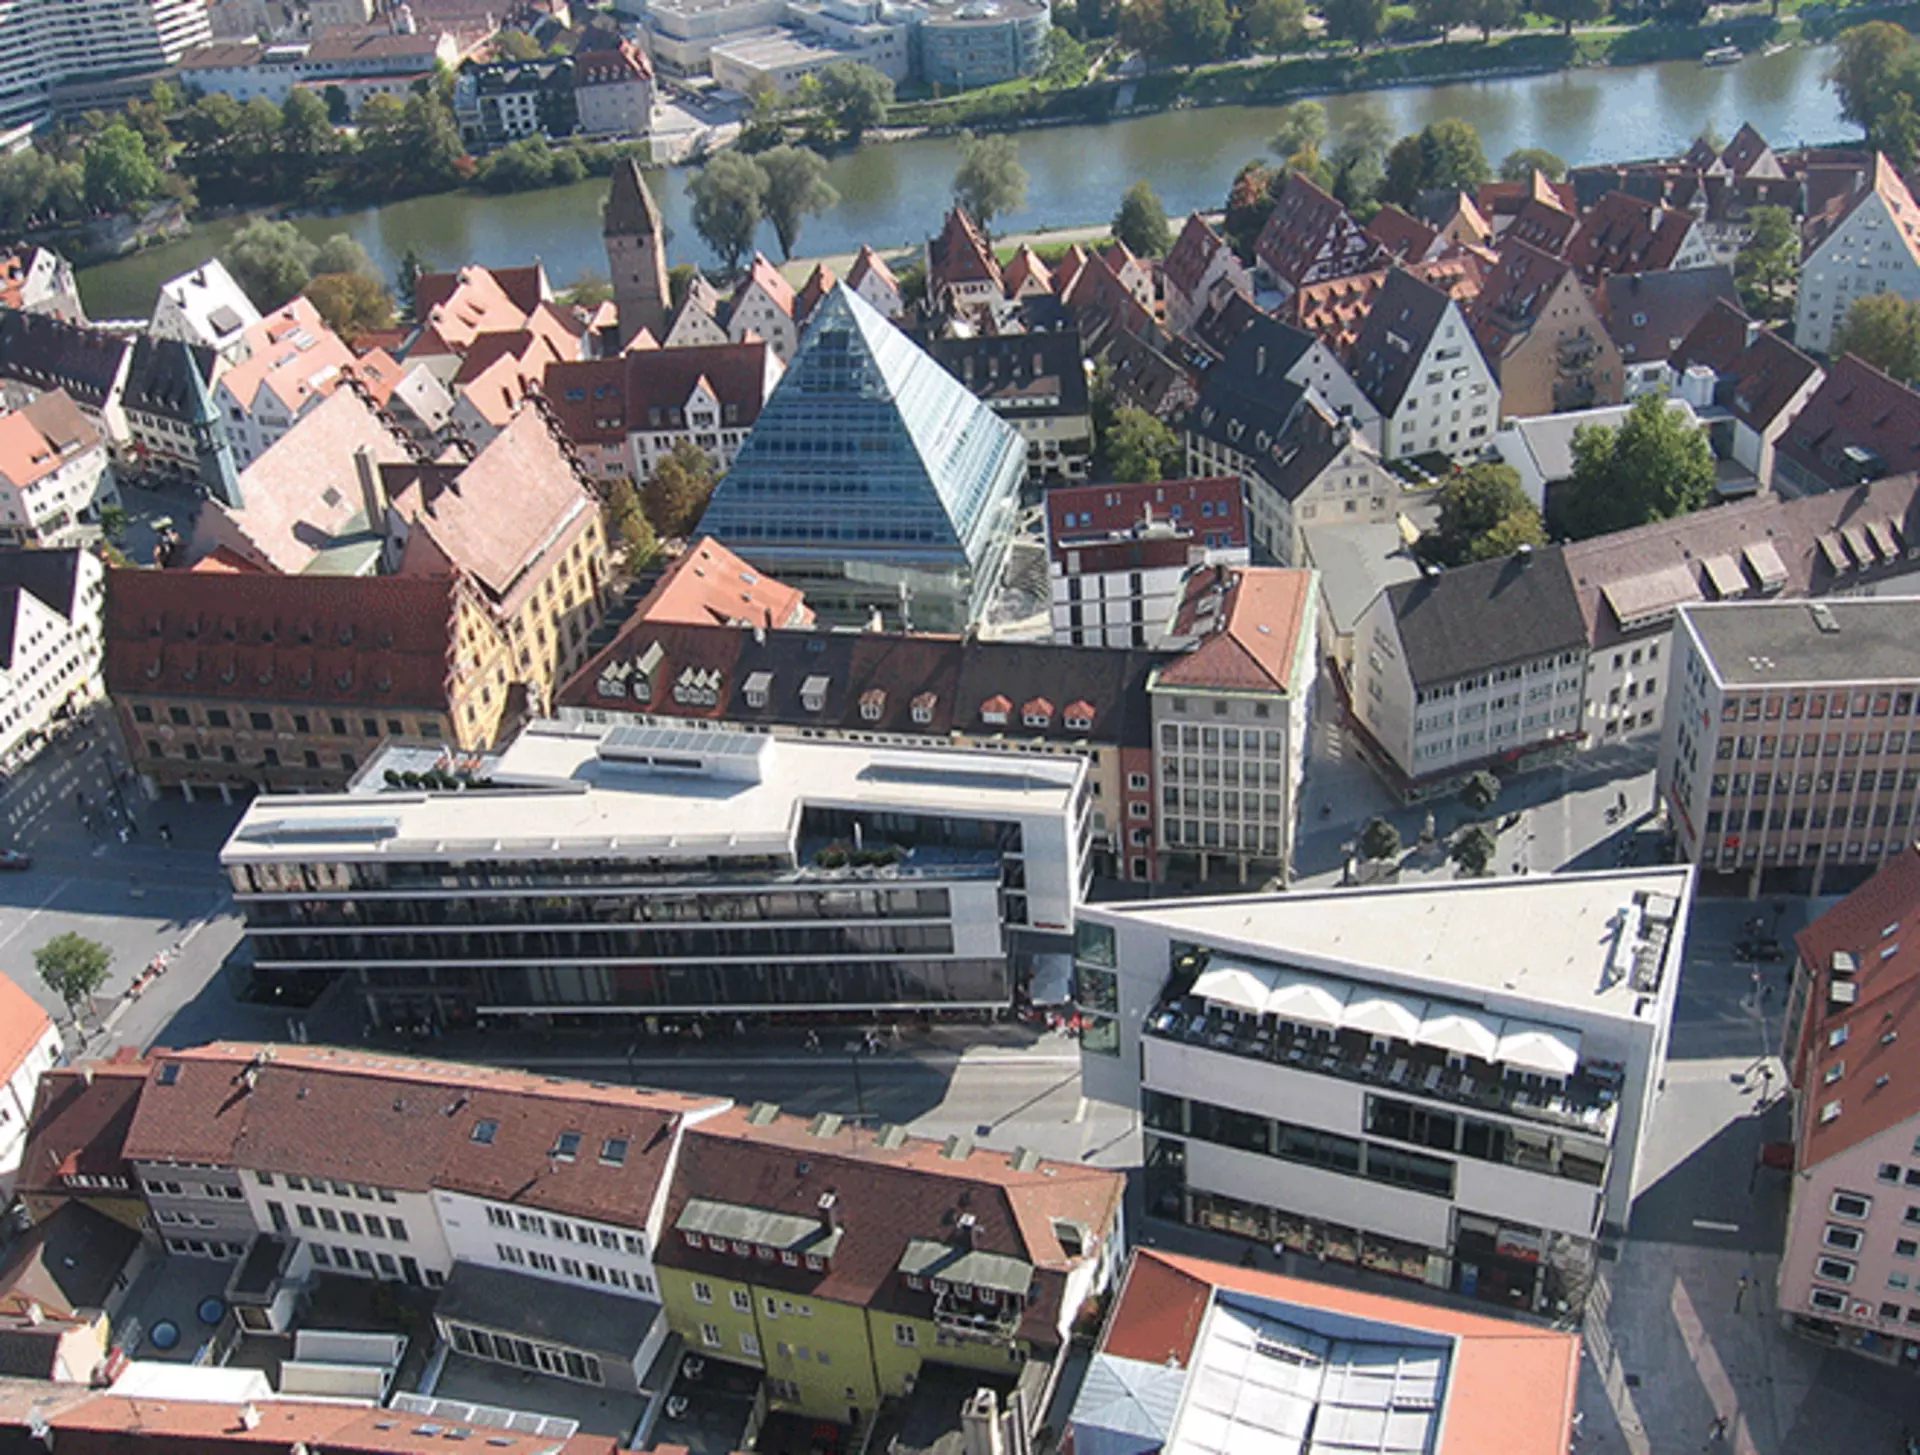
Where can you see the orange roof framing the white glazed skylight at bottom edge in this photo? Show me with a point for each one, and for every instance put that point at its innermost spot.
(1510, 1387)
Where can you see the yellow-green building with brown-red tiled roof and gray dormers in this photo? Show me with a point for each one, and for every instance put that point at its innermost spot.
(842, 1262)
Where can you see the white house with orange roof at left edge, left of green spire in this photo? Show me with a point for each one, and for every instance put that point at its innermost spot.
(55, 473)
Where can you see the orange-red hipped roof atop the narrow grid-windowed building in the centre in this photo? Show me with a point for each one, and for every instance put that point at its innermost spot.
(1249, 634)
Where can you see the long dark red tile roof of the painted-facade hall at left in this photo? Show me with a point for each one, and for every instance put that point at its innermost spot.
(327, 640)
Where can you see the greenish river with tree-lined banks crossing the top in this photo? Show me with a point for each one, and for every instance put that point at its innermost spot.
(894, 195)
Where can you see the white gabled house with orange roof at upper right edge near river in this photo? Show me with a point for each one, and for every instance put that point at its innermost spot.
(1869, 247)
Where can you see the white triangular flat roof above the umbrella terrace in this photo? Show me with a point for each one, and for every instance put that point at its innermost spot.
(1562, 940)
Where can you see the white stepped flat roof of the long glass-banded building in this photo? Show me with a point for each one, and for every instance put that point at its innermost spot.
(742, 794)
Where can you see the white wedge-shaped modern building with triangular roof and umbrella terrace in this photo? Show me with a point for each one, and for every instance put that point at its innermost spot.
(1443, 1082)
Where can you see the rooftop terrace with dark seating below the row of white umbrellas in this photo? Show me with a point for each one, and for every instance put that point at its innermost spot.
(1587, 1103)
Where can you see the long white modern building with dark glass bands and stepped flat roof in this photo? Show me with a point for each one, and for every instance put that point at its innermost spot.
(675, 872)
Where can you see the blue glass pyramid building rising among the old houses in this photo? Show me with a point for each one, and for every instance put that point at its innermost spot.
(875, 479)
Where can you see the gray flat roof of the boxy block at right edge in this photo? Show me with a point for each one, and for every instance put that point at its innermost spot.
(1773, 644)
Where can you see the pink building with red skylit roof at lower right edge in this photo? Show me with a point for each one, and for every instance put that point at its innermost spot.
(1850, 1274)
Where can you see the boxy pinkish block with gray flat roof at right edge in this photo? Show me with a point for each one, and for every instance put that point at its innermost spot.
(1792, 744)
